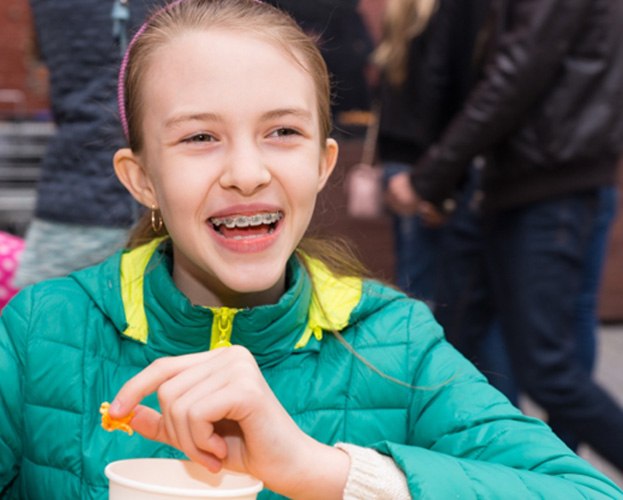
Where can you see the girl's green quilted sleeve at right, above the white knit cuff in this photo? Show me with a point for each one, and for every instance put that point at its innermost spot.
(465, 440)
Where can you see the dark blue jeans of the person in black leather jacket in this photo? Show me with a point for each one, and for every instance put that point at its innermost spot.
(536, 261)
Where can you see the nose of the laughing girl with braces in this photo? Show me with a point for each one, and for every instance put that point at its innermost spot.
(245, 168)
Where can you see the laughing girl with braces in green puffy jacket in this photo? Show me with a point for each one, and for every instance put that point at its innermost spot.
(332, 386)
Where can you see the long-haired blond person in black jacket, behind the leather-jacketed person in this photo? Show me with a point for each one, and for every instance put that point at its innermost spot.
(429, 57)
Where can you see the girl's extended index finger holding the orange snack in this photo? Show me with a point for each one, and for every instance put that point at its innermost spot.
(151, 378)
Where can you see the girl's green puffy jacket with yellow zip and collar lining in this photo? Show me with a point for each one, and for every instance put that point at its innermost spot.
(68, 344)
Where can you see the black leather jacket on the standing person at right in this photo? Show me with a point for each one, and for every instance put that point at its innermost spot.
(548, 107)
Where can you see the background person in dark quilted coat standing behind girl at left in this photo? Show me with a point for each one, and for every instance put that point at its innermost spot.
(82, 213)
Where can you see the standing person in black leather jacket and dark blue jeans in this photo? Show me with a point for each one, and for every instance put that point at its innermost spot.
(549, 114)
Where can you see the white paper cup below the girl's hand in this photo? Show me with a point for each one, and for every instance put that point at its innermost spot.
(169, 479)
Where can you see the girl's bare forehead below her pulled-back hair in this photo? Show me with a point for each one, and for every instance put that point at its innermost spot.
(199, 63)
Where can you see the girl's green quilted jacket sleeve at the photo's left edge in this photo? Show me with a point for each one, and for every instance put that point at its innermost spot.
(13, 328)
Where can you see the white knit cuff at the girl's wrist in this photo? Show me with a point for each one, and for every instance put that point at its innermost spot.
(373, 476)
